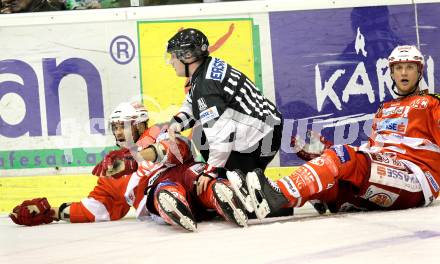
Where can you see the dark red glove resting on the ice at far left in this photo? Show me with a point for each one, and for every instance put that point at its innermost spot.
(33, 212)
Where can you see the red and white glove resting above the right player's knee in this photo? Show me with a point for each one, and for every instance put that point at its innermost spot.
(308, 151)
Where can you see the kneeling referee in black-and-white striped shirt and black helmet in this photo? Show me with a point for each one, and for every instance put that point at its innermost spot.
(240, 128)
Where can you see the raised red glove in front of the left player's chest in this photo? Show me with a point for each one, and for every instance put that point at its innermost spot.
(116, 164)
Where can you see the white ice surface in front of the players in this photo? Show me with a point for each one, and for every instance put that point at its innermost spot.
(408, 236)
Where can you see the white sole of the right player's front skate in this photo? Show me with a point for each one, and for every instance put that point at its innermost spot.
(262, 208)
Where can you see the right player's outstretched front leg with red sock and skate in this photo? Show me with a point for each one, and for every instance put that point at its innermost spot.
(316, 176)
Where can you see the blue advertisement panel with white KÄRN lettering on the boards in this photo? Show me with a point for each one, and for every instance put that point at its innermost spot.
(331, 71)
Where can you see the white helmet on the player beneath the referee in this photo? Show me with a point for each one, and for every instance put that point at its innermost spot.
(125, 112)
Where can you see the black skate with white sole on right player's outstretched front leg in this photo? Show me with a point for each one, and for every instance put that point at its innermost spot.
(265, 197)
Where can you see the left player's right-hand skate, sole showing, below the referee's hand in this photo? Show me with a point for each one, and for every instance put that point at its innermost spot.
(231, 207)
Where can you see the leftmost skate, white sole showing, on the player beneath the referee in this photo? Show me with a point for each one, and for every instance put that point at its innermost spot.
(176, 211)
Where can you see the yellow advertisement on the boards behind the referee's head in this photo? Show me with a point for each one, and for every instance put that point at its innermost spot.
(163, 92)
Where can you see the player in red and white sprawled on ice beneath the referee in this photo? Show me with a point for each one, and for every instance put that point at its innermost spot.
(154, 176)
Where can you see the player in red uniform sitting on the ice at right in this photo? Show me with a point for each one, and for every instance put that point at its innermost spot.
(398, 168)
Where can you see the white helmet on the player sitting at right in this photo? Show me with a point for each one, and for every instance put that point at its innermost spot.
(406, 53)
